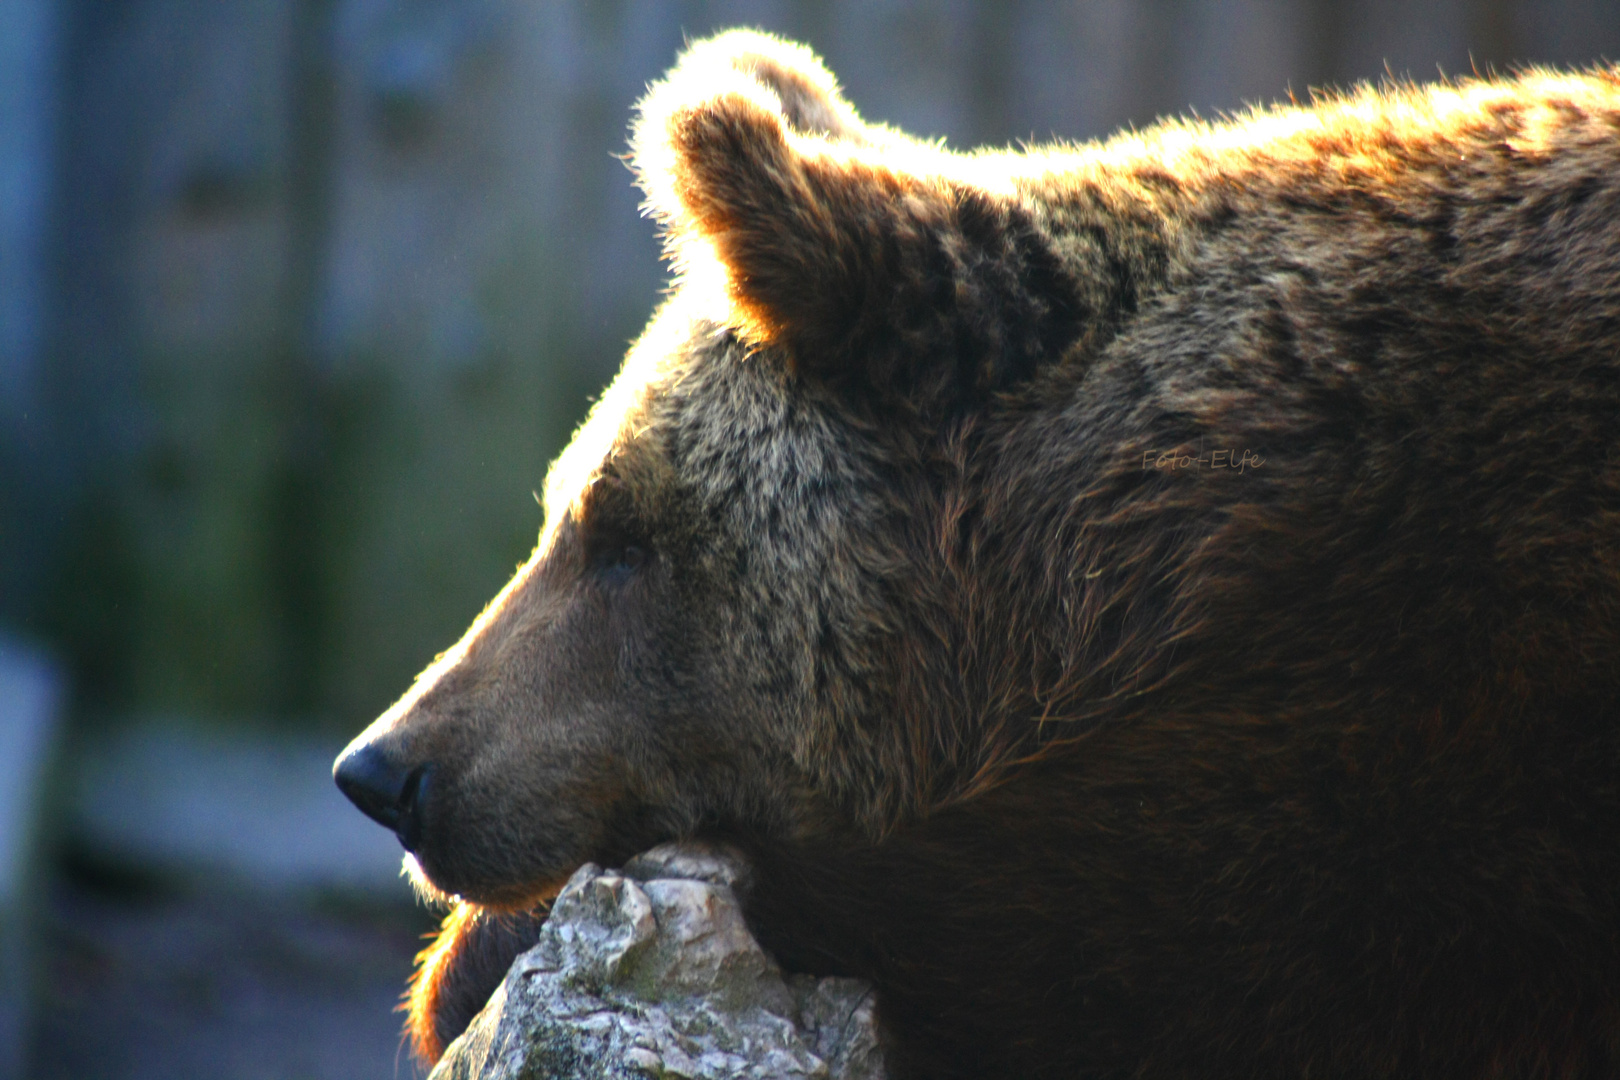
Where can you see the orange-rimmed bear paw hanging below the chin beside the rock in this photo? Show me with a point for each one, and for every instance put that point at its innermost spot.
(459, 972)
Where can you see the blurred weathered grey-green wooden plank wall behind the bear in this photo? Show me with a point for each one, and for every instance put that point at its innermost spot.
(318, 287)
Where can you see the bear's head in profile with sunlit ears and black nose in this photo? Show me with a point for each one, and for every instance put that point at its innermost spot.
(741, 608)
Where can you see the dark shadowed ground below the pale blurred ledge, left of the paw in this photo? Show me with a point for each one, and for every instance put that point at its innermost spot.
(148, 980)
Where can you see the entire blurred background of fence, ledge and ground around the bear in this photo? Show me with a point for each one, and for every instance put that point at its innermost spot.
(297, 302)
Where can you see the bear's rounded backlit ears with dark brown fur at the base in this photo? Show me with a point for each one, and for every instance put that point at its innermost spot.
(853, 250)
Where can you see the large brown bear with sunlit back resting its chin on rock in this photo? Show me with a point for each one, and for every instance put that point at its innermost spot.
(1151, 608)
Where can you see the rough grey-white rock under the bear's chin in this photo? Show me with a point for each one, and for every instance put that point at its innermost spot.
(650, 972)
